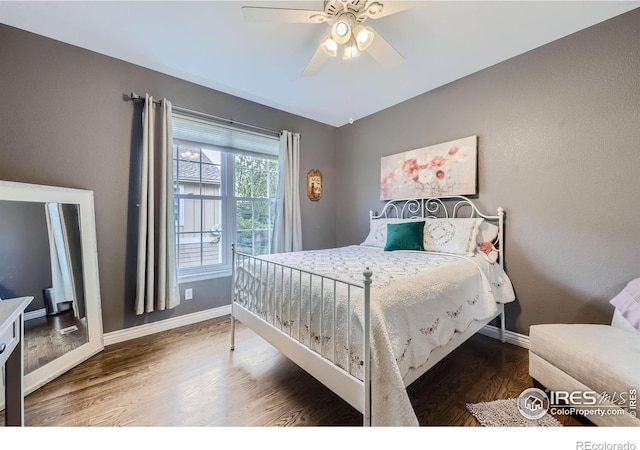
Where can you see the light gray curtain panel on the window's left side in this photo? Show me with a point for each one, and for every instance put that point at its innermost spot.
(157, 274)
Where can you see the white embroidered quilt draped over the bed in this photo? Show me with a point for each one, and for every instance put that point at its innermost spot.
(418, 301)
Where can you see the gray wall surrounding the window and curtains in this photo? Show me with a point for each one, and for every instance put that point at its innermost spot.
(63, 122)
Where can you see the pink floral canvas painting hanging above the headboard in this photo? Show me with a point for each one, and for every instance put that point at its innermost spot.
(449, 168)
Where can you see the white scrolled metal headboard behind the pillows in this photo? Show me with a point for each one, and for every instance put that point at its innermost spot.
(453, 206)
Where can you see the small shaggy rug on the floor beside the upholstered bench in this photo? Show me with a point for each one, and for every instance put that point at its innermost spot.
(504, 413)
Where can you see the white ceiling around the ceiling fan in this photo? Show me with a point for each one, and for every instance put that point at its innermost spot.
(210, 43)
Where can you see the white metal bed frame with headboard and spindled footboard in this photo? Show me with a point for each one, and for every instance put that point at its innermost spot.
(352, 389)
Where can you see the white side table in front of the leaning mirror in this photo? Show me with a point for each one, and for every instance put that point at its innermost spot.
(12, 357)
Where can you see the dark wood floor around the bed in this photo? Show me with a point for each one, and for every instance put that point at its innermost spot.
(188, 377)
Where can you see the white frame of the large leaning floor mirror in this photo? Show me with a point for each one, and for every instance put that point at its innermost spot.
(14, 191)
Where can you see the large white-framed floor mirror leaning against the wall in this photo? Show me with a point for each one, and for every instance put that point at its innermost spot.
(48, 251)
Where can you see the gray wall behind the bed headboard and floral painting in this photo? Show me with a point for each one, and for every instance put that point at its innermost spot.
(559, 150)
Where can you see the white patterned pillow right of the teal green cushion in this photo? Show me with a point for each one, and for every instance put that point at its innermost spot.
(451, 235)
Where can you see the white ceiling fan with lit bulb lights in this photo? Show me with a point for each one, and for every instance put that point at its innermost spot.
(346, 19)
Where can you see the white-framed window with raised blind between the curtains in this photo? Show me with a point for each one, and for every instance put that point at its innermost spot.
(225, 184)
